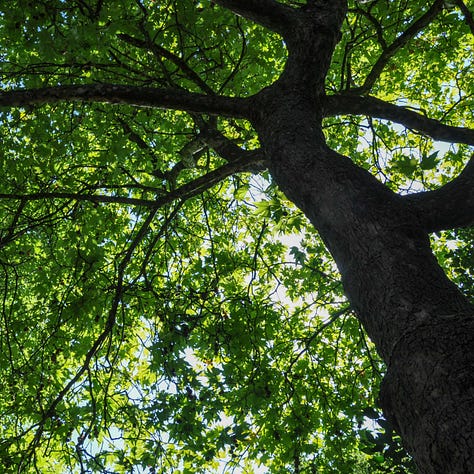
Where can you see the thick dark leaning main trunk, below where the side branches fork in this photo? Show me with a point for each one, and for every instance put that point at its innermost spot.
(421, 324)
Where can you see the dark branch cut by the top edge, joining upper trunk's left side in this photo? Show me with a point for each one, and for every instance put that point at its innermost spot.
(269, 13)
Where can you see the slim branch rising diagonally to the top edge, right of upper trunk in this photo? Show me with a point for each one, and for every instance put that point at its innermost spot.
(399, 42)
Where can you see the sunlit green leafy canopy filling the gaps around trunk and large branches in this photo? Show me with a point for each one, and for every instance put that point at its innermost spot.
(209, 333)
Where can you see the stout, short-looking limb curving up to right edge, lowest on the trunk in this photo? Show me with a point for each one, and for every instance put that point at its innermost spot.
(448, 207)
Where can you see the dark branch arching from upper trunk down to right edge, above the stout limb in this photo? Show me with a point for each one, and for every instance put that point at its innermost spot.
(342, 104)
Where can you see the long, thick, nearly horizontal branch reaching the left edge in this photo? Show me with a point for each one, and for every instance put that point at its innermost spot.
(129, 95)
